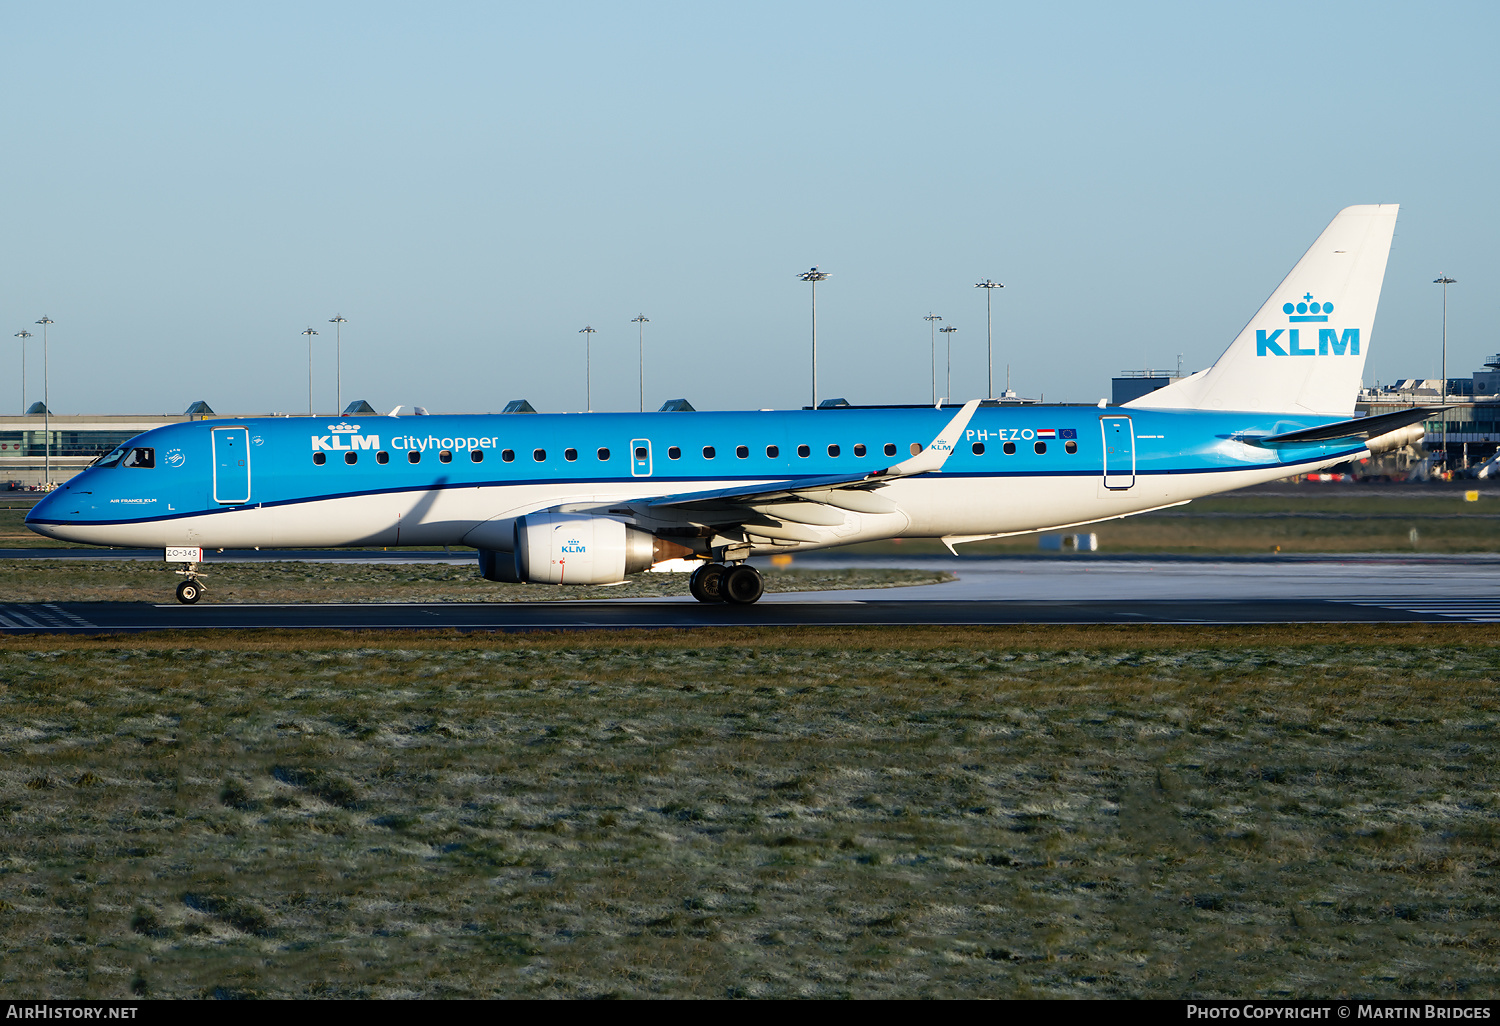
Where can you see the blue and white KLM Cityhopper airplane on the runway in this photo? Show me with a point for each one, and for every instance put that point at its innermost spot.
(592, 499)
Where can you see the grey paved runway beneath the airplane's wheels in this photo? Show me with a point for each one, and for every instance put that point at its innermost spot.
(1028, 590)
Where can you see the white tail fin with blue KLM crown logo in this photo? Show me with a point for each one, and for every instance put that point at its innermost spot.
(1306, 350)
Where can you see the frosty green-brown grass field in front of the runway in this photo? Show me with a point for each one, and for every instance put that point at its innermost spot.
(979, 812)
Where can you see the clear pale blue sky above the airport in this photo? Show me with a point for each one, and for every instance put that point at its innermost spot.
(187, 188)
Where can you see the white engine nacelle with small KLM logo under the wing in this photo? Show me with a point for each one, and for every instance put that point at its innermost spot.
(568, 548)
